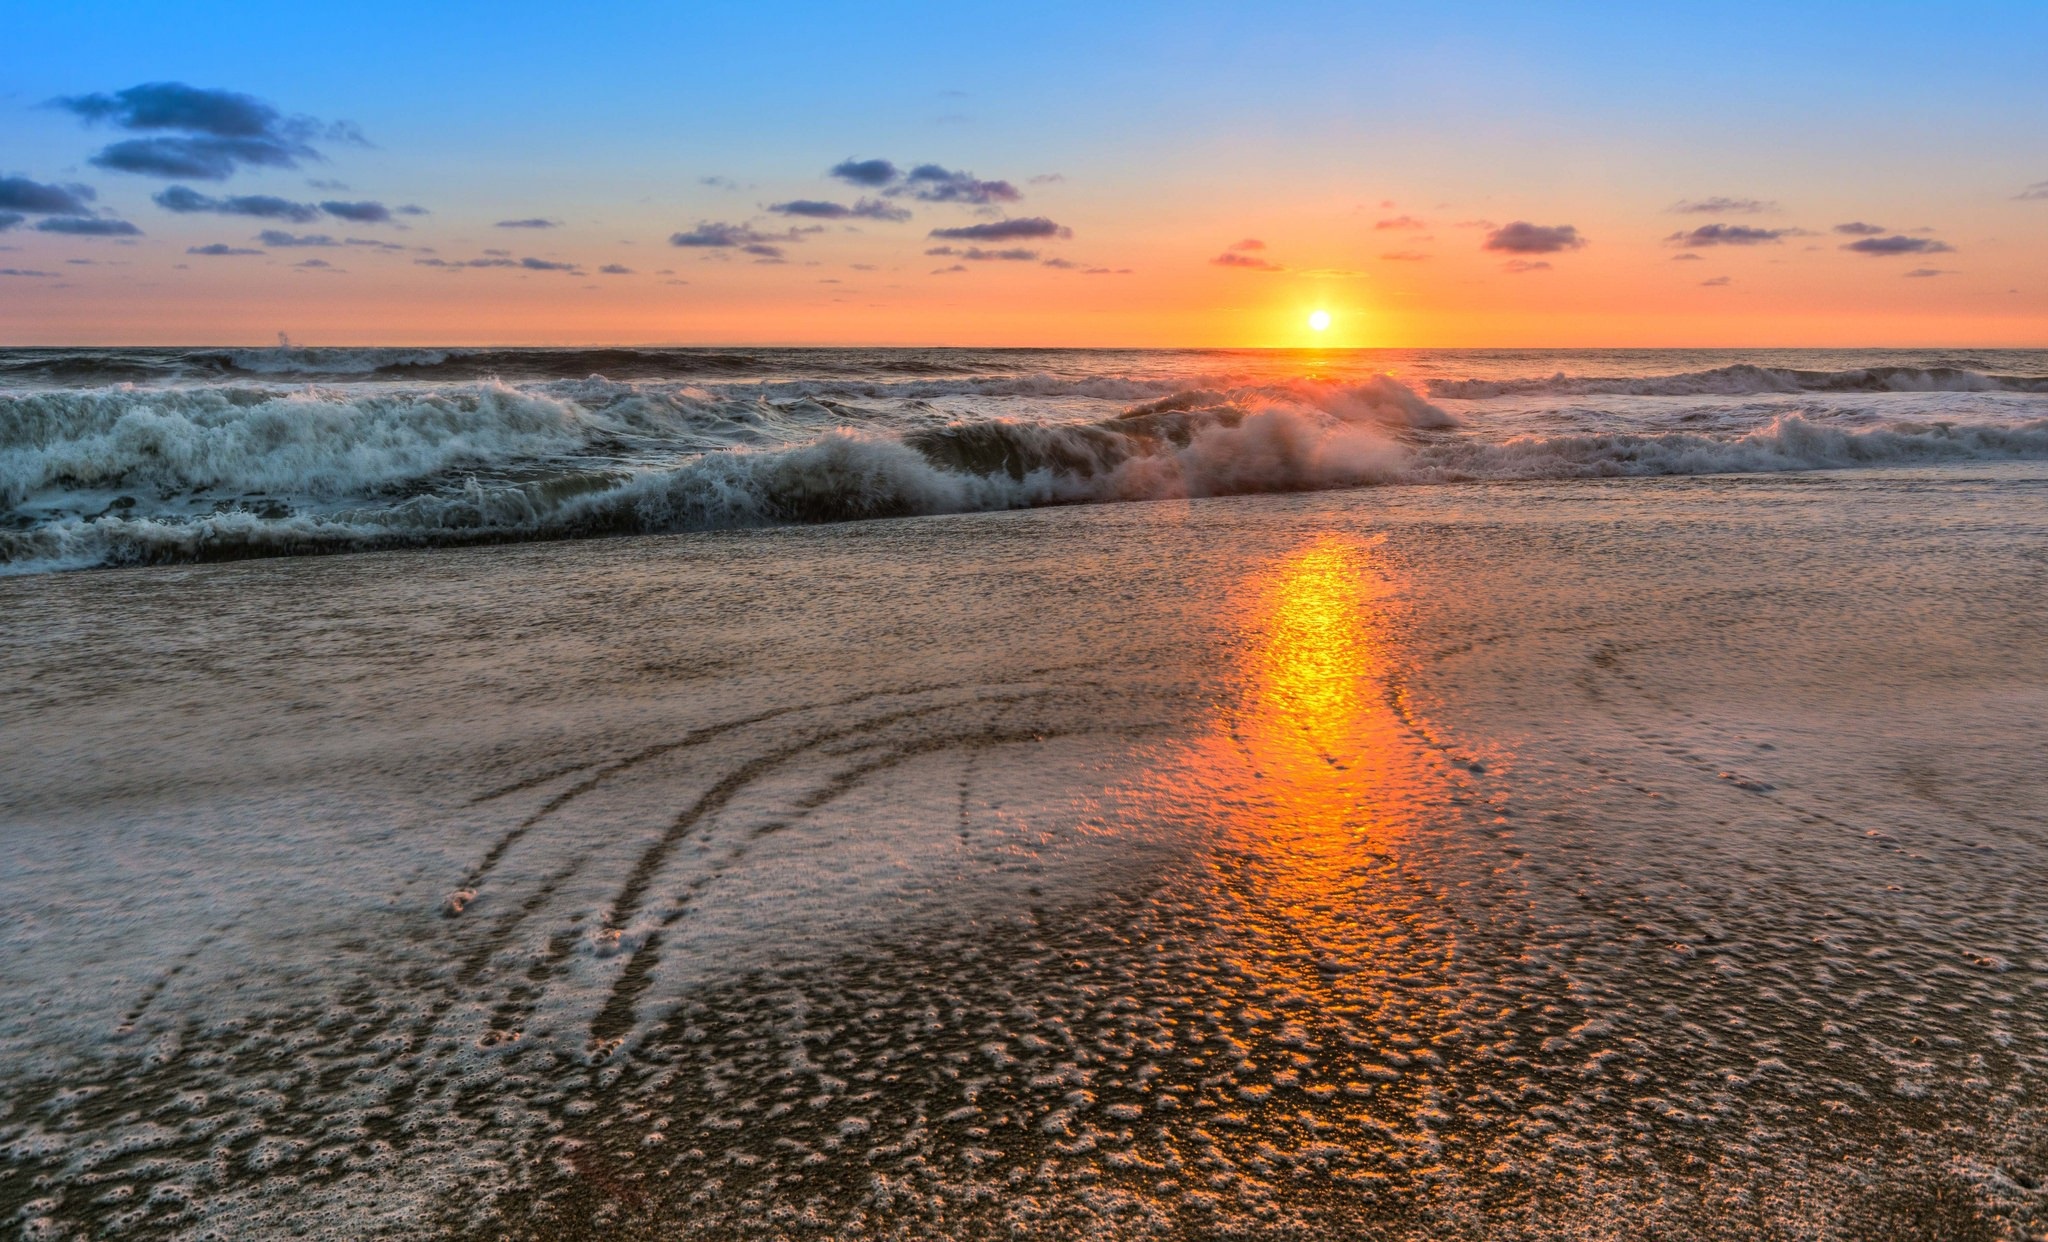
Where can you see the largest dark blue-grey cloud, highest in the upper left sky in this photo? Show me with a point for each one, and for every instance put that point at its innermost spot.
(210, 132)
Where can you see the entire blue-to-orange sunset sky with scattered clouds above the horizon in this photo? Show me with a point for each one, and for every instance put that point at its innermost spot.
(1052, 175)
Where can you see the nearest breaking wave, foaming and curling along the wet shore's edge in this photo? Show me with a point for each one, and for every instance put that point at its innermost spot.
(1150, 454)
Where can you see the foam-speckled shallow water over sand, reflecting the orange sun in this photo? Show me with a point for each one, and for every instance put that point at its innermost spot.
(1555, 860)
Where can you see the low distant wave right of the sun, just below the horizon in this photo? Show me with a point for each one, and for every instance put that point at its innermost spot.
(1742, 380)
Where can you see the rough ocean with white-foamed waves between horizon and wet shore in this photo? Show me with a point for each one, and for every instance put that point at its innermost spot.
(169, 456)
